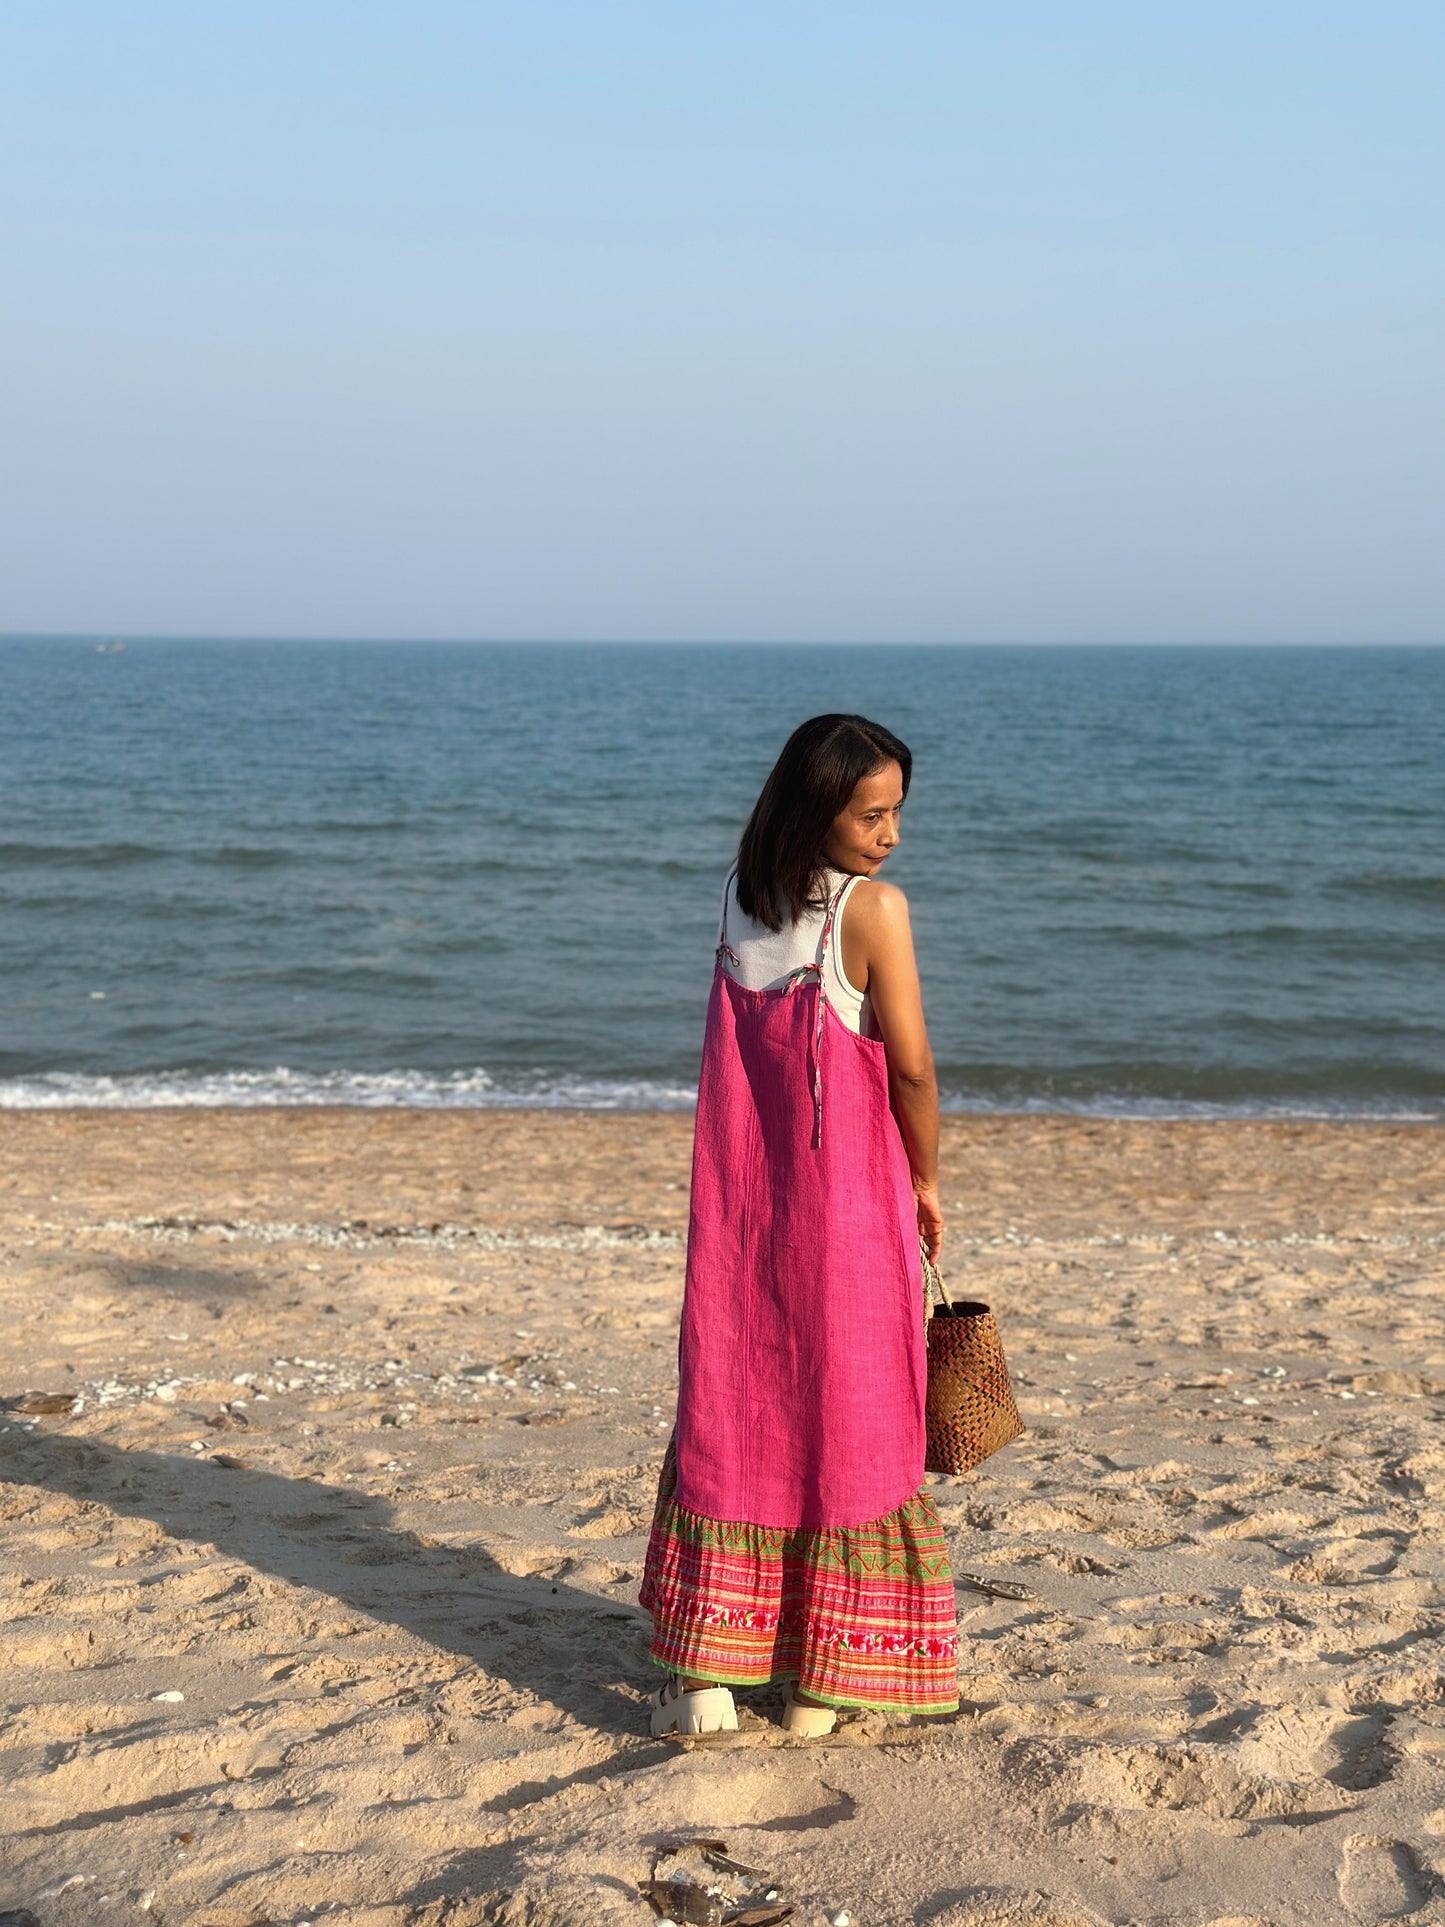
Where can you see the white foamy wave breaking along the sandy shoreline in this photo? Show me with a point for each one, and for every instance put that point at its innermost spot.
(479, 1090)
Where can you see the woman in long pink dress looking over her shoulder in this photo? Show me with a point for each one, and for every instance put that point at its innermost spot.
(791, 1537)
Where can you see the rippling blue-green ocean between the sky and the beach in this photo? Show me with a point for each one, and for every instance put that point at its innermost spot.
(1149, 882)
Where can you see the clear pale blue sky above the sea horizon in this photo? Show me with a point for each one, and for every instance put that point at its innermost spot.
(791, 321)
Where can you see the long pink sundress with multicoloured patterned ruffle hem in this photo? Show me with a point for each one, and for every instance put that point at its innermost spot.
(793, 1537)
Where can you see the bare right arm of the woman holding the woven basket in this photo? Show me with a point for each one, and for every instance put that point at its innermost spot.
(878, 955)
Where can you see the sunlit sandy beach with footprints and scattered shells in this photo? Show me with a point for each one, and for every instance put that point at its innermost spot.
(321, 1552)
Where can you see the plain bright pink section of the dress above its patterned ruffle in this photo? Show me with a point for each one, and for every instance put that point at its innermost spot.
(802, 1367)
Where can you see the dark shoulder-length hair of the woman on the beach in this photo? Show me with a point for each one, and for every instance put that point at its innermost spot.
(781, 851)
